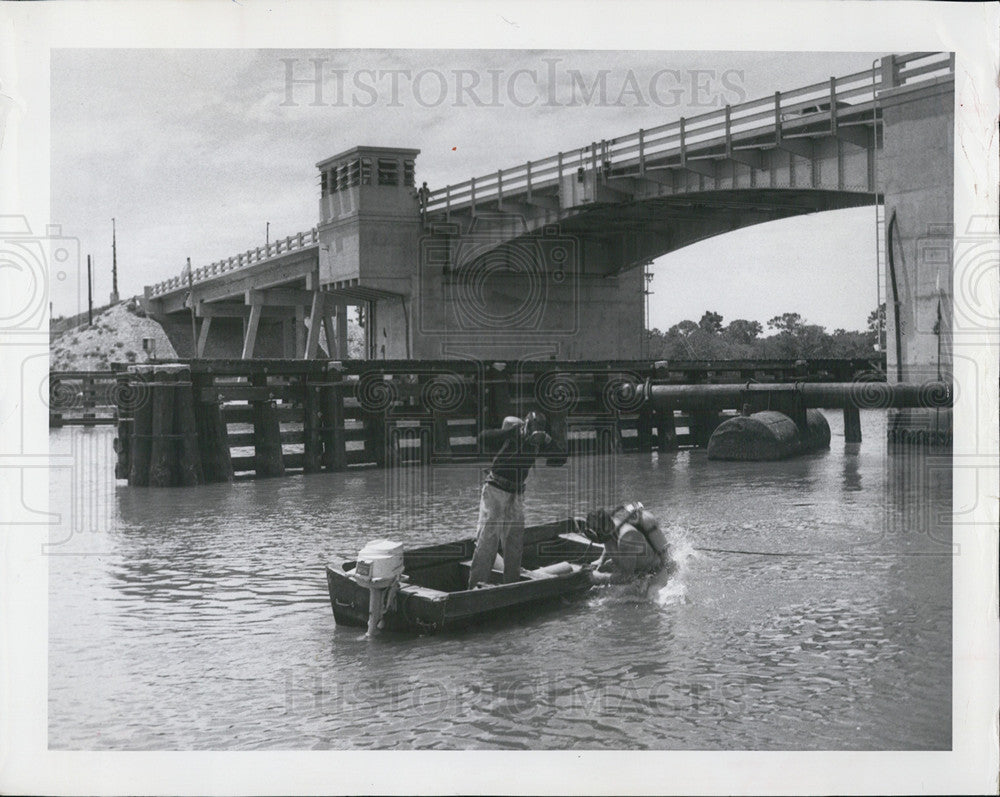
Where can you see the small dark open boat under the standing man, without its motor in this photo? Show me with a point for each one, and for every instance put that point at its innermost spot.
(433, 593)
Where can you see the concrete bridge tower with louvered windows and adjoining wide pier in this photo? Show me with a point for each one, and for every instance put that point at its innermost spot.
(476, 284)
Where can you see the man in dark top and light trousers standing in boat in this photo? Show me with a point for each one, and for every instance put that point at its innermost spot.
(501, 509)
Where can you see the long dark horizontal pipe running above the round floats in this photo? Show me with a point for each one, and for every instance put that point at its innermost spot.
(864, 395)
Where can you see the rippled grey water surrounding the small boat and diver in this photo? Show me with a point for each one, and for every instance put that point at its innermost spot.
(198, 618)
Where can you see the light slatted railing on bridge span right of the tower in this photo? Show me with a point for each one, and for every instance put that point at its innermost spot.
(851, 96)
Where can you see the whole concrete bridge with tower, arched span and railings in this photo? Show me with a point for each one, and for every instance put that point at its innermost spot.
(542, 260)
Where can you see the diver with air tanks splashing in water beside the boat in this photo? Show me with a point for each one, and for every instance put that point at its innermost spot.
(634, 545)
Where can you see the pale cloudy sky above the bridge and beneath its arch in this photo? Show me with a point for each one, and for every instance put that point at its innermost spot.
(193, 152)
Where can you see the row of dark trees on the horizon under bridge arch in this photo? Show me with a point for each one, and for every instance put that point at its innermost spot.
(792, 337)
